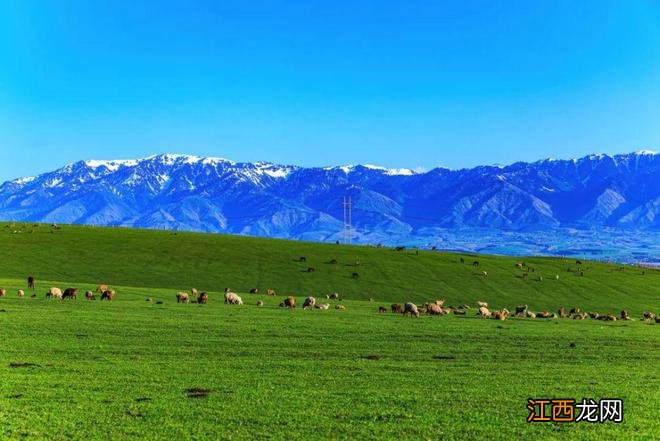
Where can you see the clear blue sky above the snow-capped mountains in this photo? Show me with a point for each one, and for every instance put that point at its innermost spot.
(400, 84)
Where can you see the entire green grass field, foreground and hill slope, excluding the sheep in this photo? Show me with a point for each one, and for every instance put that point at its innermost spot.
(133, 369)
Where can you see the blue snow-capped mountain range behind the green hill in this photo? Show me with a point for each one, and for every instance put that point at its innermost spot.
(182, 192)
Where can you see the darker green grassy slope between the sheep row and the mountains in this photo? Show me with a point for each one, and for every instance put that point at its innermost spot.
(168, 260)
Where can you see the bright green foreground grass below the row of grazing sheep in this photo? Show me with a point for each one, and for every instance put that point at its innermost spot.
(135, 369)
